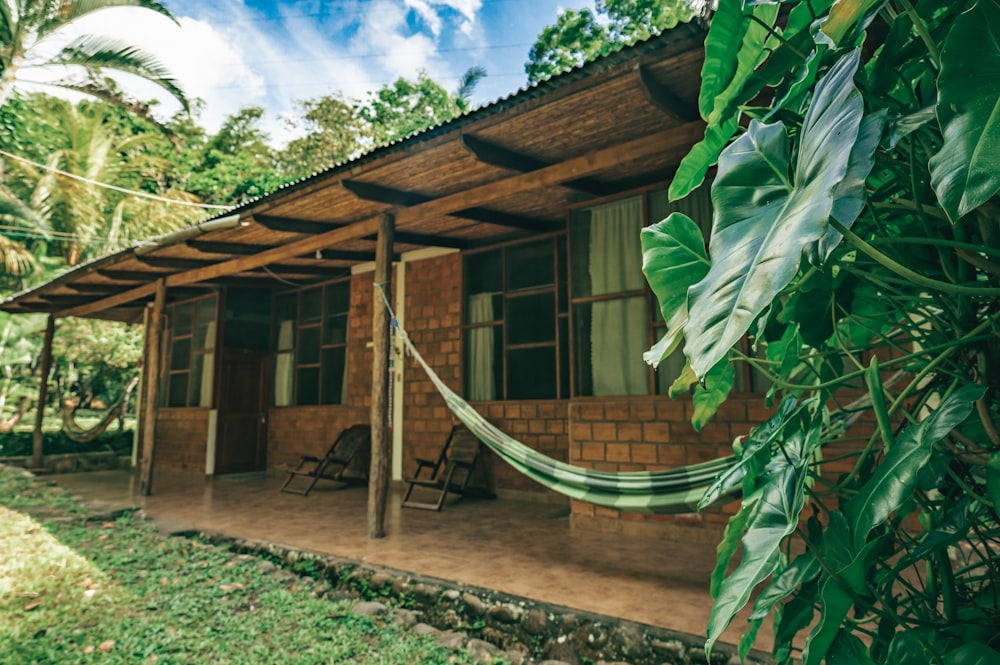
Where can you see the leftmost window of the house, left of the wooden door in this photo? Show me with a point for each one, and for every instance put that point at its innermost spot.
(190, 347)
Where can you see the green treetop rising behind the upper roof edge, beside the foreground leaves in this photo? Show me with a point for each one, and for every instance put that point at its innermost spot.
(580, 35)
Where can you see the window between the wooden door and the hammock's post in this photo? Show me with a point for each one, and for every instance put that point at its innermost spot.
(311, 345)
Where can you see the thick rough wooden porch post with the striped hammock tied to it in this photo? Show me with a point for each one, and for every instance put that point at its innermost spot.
(378, 476)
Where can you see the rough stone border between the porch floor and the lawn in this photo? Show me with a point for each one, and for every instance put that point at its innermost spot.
(491, 624)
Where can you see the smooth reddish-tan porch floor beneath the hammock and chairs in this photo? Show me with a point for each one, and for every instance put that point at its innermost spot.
(520, 548)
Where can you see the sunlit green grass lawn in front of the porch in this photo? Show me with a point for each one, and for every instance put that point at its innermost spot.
(77, 590)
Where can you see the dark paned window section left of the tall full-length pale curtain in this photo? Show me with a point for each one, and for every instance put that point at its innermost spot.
(516, 322)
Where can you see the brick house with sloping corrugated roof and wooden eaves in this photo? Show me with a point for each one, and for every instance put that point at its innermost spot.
(516, 271)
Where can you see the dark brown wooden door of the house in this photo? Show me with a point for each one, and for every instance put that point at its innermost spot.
(241, 442)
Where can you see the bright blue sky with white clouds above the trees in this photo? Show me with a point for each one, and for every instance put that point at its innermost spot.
(272, 53)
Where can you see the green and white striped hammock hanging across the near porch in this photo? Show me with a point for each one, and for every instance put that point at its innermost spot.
(649, 492)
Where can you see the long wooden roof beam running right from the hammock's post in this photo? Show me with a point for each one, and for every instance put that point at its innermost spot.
(593, 163)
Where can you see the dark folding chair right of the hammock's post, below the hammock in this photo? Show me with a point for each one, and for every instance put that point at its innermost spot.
(452, 471)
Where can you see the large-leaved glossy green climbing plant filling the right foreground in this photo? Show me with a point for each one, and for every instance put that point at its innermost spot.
(855, 242)
